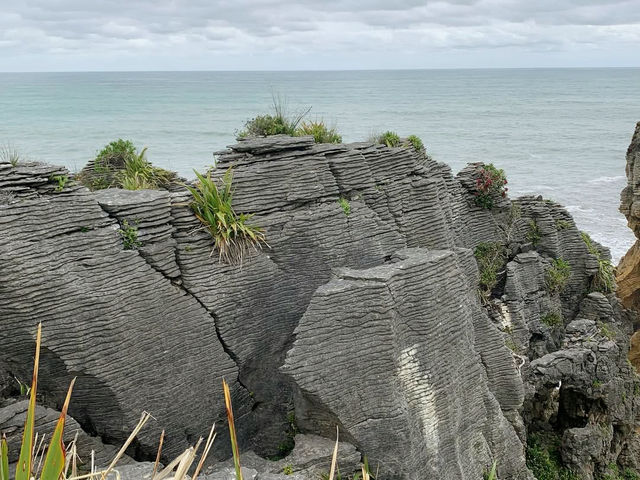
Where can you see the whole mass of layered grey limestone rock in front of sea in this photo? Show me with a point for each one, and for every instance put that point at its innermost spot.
(367, 318)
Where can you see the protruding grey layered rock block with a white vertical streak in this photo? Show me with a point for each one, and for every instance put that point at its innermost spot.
(380, 340)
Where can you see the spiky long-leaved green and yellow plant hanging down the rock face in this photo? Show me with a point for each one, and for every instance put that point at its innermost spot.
(233, 236)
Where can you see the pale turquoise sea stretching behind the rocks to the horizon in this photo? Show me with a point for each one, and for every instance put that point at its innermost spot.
(561, 133)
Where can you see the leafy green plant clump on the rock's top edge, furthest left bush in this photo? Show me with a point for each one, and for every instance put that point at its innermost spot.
(120, 165)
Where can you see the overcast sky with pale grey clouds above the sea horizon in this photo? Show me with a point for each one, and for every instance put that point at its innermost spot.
(78, 35)
